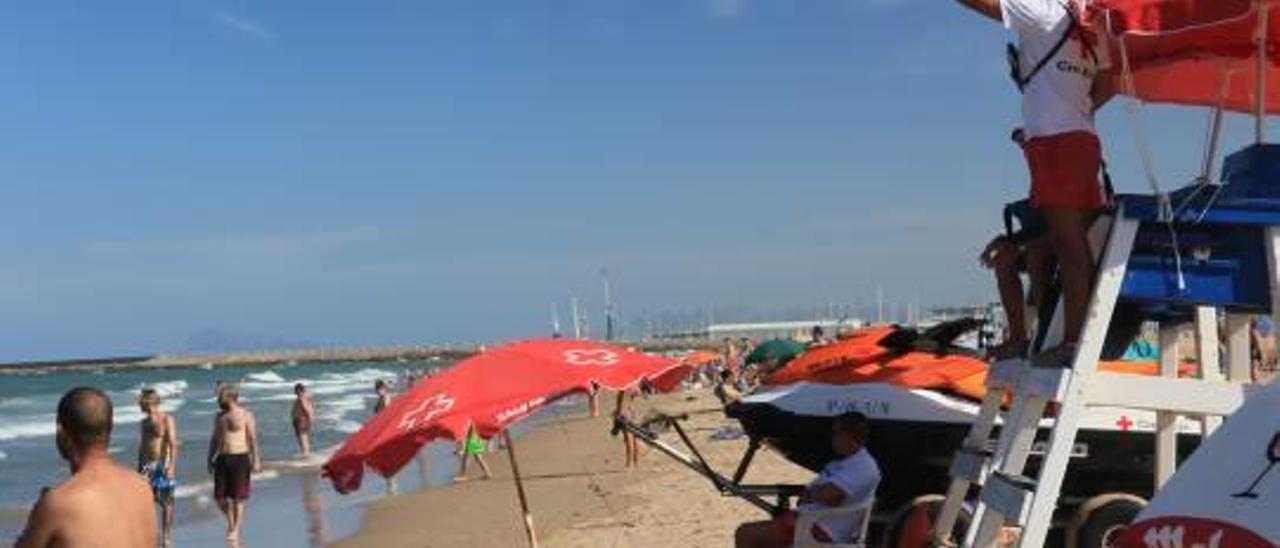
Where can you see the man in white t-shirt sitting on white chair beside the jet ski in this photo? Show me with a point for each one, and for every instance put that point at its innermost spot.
(849, 481)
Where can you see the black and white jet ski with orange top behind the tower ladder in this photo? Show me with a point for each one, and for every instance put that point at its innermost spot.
(922, 394)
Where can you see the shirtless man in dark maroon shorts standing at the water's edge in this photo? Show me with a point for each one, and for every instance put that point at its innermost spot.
(234, 455)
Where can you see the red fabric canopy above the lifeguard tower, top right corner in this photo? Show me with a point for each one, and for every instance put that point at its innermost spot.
(1190, 52)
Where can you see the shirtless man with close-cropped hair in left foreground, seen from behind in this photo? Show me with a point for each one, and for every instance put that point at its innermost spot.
(103, 504)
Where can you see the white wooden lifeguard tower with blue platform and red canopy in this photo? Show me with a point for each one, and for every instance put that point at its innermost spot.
(1206, 255)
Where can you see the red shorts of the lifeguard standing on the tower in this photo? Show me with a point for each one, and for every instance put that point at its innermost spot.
(1066, 171)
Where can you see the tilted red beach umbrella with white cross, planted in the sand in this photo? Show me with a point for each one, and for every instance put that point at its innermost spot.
(491, 391)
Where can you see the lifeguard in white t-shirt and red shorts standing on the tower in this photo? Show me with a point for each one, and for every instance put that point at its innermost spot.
(1063, 80)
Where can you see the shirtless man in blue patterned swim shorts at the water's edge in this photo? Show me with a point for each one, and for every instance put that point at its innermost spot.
(158, 458)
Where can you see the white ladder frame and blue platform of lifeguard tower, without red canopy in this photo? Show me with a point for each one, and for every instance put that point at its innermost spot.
(1210, 249)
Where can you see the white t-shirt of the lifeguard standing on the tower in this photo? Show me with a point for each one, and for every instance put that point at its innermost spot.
(1057, 101)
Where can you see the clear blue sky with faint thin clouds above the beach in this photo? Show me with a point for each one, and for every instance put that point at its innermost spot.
(445, 171)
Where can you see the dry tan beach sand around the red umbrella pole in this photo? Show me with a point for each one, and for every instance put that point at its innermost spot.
(582, 496)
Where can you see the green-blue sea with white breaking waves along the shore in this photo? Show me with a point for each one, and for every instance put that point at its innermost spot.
(291, 505)
